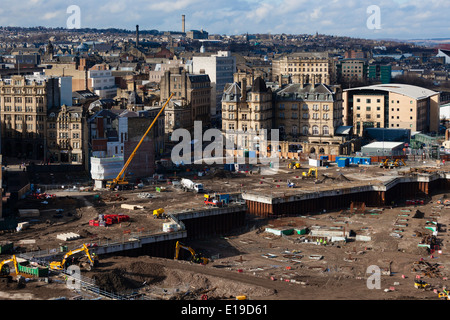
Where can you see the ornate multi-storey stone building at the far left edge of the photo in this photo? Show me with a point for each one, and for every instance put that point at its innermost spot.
(25, 102)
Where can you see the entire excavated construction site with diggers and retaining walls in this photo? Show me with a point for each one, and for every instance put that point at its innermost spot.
(303, 233)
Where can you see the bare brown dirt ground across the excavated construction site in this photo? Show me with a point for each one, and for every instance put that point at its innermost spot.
(249, 262)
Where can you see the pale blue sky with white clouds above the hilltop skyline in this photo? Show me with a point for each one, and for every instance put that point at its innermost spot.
(372, 19)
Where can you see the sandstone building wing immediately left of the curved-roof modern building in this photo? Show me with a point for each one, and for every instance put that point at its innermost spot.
(310, 117)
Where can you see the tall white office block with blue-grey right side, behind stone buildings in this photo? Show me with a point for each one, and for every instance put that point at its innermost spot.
(220, 68)
